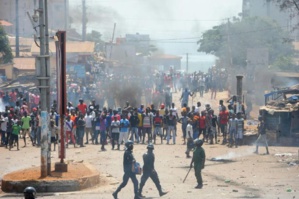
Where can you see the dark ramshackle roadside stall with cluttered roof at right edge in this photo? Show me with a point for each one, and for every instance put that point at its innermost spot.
(281, 114)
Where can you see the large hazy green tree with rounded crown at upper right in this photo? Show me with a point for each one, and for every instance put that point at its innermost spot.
(232, 39)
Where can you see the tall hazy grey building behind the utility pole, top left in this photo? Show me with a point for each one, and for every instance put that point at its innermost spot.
(57, 12)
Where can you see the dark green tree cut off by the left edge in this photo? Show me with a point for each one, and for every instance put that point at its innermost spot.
(5, 50)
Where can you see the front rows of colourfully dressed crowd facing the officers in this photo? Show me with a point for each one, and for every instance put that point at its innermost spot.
(91, 123)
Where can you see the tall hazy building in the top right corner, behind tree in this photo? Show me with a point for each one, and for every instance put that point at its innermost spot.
(265, 8)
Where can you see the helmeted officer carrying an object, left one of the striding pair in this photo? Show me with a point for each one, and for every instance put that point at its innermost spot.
(128, 161)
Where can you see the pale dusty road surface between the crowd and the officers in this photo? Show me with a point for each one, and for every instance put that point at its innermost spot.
(242, 175)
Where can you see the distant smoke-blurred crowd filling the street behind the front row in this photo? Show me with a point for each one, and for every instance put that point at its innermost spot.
(154, 86)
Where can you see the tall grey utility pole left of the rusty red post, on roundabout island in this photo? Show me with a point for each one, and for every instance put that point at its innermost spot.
(43, 77)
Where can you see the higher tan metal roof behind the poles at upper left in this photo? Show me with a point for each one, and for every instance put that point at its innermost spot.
(71, 47)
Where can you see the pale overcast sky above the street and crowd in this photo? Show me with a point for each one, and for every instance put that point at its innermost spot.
(174, 25)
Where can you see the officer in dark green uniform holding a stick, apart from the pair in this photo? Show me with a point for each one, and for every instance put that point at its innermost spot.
(198, 158)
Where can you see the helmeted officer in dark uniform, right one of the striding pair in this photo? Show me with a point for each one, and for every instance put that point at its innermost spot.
(149, 170)
